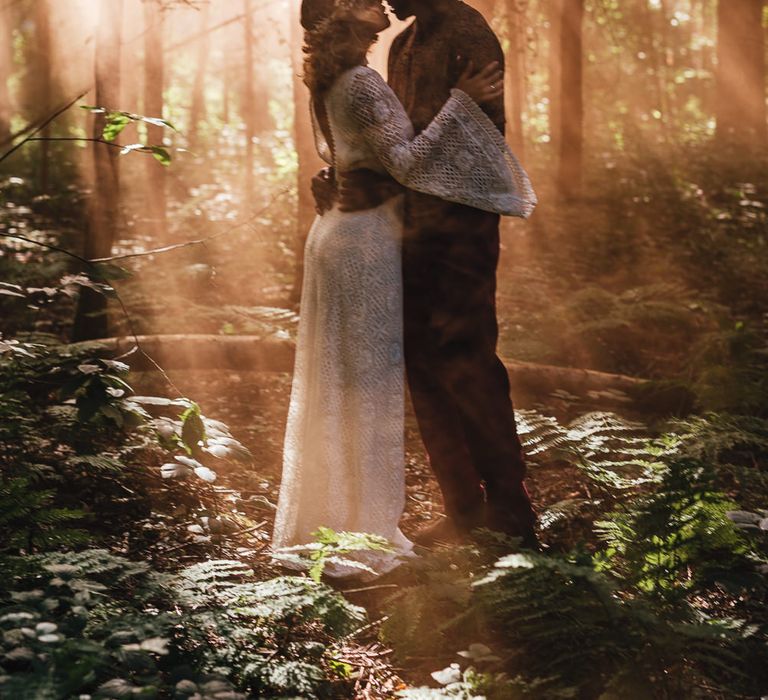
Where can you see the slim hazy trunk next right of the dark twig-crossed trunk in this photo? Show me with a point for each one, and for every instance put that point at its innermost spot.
(154, 78)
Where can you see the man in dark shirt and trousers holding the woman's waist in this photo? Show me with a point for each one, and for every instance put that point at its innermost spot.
(459, 387)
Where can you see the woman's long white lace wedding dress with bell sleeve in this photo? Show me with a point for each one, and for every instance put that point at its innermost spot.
(343, 463)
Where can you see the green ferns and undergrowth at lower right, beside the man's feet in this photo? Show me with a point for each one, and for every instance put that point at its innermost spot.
(671, 605)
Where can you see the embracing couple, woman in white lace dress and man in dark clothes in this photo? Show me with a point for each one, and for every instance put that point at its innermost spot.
(399, 281)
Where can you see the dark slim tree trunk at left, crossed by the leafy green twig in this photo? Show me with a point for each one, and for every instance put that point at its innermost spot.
(91, 318)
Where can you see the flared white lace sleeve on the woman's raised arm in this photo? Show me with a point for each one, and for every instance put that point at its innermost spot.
(460, 156)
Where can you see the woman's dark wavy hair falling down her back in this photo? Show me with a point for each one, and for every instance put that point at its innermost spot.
(334, 41)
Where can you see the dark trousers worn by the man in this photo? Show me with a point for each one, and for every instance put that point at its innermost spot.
(459, 387)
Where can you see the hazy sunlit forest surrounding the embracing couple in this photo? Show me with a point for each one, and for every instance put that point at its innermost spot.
(155, 168)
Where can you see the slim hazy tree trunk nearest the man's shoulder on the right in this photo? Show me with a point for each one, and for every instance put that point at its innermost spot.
(514, 78)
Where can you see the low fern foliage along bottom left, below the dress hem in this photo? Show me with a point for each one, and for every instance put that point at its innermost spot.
(92, 623)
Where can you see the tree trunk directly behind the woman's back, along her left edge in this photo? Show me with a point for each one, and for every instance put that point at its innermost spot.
(309, 162)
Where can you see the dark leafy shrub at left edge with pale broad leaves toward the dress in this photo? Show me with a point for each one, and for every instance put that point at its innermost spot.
(71, 435)
